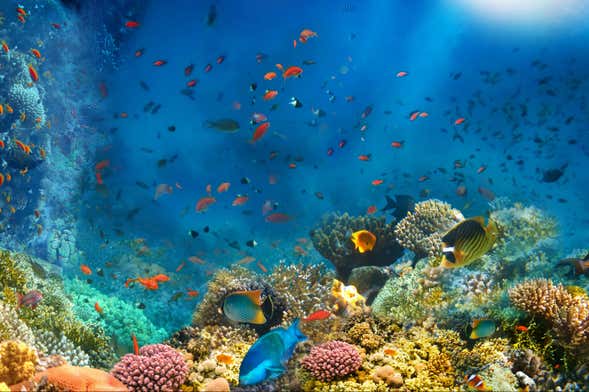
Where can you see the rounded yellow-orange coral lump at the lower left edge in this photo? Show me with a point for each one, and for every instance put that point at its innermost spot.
(17, 362)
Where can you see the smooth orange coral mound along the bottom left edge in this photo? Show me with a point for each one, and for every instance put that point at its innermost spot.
(75, 378)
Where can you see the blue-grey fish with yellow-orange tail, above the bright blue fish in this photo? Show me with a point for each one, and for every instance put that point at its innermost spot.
(244, 307)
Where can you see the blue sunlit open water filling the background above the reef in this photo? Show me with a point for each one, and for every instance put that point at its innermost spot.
(520, 85)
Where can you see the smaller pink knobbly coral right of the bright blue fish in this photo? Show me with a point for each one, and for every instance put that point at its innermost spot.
(332, 360)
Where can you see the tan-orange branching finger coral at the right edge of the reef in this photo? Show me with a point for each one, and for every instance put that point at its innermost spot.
(568, 314)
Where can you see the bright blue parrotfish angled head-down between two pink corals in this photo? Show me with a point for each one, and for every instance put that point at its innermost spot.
(267, 357)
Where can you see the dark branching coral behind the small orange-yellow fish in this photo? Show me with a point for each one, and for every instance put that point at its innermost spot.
(331, 238)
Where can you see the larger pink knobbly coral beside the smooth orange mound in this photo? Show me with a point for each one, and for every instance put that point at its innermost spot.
(158, 367)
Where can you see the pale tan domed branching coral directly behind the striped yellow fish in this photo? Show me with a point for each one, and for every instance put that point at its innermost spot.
(421, 230)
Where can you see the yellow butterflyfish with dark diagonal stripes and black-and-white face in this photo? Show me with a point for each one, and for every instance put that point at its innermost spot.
(467, 241)
